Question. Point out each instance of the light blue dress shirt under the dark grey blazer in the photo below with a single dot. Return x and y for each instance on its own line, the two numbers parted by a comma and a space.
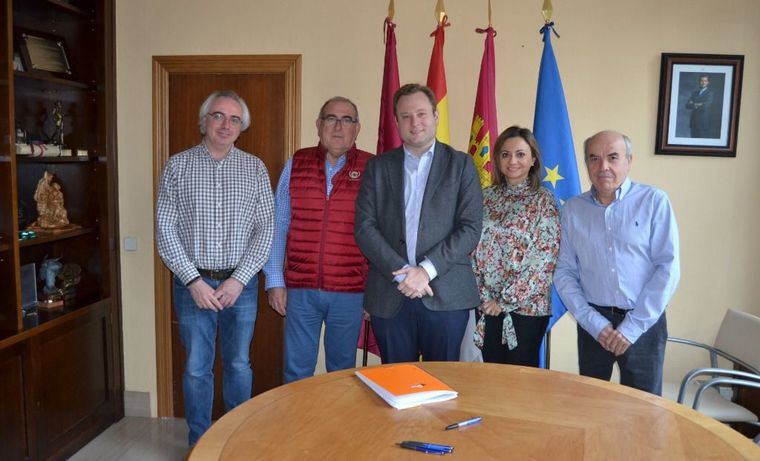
416, 172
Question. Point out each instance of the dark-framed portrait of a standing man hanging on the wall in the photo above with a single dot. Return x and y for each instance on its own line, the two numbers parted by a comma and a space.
698, 111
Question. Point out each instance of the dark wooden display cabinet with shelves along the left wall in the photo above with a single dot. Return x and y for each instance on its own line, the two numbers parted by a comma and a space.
61, 373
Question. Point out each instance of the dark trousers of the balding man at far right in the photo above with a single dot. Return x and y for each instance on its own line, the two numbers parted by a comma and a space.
640, 365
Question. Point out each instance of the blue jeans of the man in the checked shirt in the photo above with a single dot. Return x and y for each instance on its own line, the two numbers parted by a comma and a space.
197, 328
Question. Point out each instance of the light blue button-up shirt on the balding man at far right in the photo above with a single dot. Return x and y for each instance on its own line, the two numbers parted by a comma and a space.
624, 255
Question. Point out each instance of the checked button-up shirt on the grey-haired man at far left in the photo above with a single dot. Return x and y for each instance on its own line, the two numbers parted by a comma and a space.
214, 214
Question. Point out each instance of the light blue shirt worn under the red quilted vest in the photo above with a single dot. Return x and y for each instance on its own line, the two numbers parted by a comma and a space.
274, 268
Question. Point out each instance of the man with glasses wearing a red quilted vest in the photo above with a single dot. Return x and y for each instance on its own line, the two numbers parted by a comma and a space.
315, 274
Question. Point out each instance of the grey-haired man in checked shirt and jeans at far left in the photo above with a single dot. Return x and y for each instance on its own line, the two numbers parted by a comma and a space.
215, 218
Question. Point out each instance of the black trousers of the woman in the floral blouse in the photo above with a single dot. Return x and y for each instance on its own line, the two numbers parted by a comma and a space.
530, 331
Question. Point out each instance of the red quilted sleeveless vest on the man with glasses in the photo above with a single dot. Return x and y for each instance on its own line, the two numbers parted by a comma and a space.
321, 252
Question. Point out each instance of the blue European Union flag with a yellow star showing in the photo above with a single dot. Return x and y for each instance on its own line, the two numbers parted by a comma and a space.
551, 126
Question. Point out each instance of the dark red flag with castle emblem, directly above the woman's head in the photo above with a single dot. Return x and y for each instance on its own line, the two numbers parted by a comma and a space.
484, 129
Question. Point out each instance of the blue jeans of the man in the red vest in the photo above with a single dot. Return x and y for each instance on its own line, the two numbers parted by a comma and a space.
307, 310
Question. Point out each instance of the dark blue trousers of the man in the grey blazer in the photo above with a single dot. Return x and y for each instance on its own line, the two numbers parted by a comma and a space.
415, 330
